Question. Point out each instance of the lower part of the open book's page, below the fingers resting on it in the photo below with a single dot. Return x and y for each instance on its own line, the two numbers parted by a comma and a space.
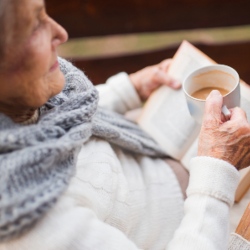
168, 121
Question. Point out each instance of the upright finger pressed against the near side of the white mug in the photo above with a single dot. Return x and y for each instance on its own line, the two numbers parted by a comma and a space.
213, 106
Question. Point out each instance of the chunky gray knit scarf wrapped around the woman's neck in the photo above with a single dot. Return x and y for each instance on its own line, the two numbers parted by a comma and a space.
37, 161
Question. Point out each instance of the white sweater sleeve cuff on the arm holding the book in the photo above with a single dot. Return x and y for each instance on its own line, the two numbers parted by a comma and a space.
118, 94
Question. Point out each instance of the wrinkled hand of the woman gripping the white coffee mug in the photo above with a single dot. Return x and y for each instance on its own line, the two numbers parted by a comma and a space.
226, 140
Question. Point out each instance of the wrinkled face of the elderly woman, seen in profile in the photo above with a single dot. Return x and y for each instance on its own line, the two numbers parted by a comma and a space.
30, 74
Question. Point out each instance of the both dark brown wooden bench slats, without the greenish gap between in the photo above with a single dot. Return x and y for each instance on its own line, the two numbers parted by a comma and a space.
85, 18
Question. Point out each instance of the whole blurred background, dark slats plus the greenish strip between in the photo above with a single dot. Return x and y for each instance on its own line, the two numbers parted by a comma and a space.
107, 37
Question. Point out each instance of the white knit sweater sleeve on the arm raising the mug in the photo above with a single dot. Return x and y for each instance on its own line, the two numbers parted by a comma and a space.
211, 190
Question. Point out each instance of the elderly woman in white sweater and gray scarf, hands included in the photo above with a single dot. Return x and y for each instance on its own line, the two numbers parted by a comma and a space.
75, 176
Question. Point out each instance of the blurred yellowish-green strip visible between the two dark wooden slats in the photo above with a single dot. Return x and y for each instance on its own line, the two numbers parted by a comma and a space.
123, 44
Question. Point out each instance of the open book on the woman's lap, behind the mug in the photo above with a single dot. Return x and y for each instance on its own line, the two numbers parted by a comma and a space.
166, 118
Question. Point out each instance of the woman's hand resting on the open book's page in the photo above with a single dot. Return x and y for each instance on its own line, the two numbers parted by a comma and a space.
148, 79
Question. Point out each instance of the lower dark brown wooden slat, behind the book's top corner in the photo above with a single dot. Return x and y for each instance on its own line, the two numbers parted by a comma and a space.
99, 69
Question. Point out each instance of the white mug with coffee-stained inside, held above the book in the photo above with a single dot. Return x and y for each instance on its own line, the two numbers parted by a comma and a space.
213, 76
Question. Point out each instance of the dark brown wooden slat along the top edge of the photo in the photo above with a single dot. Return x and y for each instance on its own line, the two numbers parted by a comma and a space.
99, 17
